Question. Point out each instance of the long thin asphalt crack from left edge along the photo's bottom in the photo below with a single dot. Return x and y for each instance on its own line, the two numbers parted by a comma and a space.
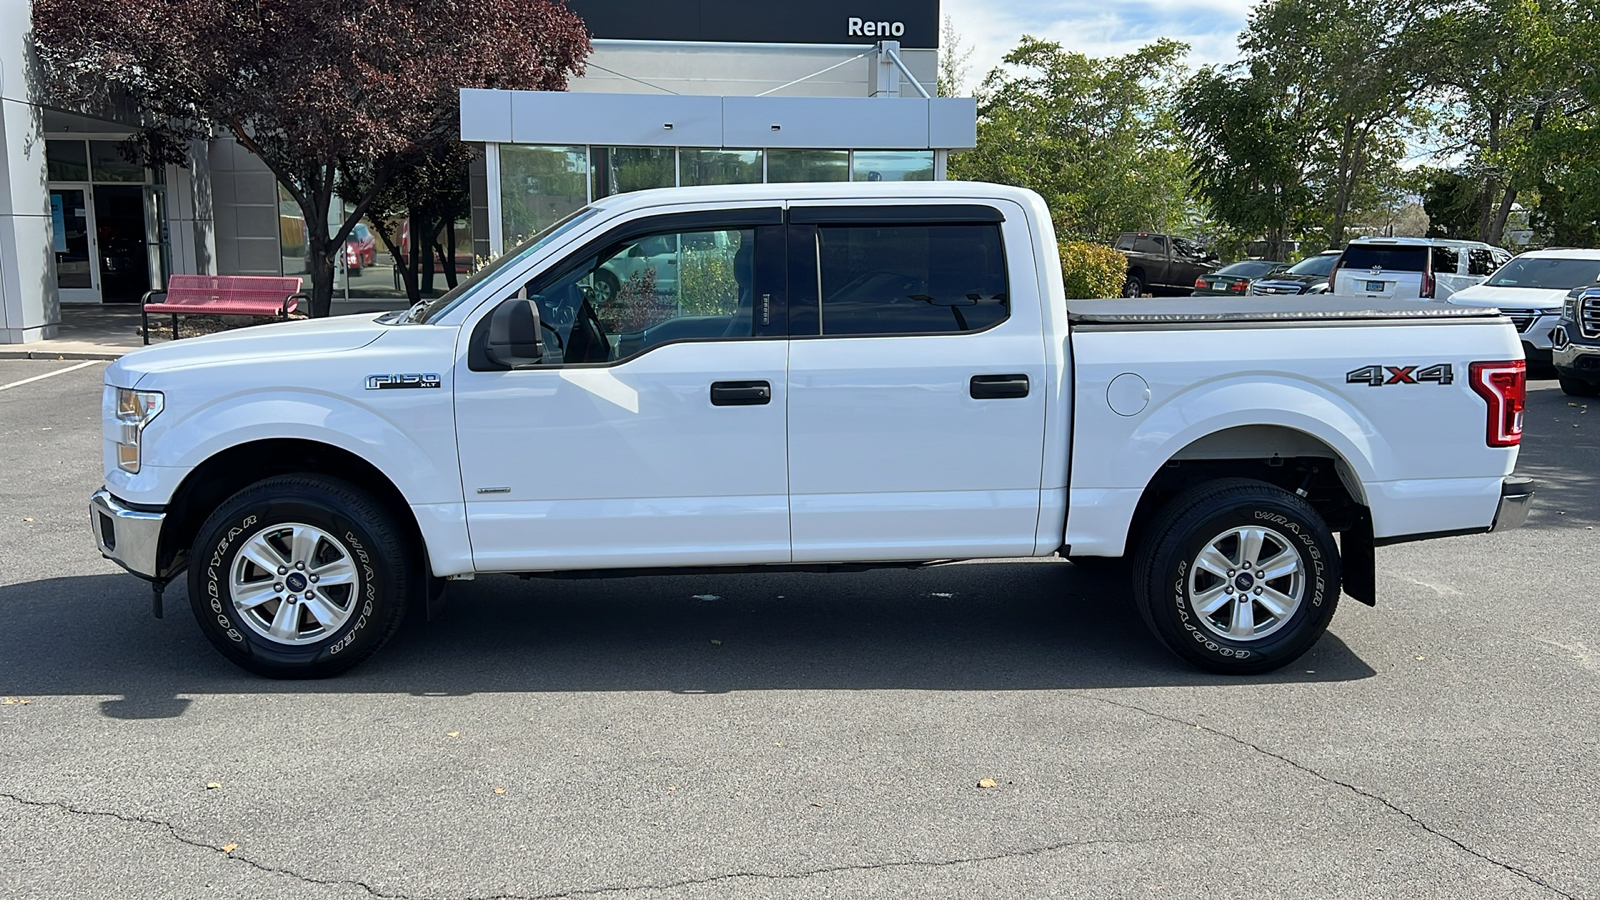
182, 838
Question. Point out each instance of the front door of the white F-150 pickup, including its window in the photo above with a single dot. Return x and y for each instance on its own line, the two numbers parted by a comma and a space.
652, 433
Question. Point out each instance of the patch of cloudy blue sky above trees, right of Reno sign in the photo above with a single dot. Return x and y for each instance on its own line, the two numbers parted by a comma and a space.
1105, 28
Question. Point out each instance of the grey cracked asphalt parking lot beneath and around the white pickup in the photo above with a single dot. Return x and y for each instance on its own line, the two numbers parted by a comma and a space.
802, 736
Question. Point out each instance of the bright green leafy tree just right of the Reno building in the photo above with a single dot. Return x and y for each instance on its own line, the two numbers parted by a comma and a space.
1095, 137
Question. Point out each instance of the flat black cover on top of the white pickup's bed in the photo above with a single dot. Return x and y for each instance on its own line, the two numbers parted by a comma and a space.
1158, 313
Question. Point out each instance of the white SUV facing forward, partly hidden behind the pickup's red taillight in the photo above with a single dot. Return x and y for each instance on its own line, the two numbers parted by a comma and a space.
1530, 292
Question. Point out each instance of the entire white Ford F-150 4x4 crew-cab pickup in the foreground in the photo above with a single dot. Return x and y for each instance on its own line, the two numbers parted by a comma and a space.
841, 377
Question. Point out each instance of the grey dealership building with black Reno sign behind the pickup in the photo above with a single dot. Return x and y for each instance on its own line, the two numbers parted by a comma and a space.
676, 94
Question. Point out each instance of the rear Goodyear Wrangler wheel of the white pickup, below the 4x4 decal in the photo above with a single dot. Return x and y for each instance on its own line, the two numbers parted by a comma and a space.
1238, 577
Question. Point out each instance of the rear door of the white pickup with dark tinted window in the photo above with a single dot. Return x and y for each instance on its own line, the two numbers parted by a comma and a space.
916, 384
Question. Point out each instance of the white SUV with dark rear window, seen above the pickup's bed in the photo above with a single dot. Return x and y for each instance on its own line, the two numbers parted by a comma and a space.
1414, 268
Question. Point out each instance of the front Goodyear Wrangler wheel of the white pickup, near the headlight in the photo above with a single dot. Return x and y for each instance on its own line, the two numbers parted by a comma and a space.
300, 577
